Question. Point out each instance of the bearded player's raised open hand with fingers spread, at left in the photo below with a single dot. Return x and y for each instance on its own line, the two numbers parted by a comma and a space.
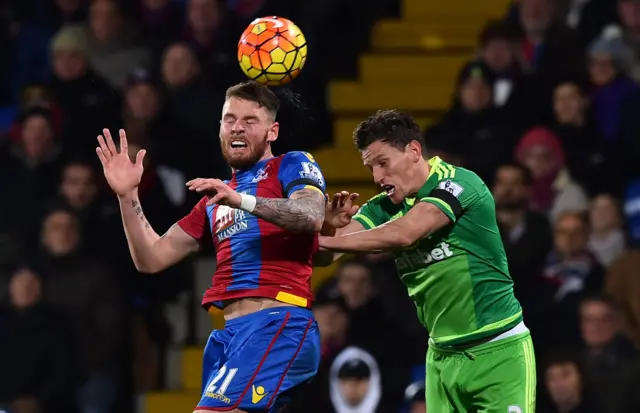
122, 174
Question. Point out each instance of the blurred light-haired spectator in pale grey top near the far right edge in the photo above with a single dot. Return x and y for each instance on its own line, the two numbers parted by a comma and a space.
607, 239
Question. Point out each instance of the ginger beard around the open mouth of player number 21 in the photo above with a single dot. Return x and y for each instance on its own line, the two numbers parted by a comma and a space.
241, 152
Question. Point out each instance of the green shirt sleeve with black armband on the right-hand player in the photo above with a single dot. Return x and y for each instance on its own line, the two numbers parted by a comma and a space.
451, 196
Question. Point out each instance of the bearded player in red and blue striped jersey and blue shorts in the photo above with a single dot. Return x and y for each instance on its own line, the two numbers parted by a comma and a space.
263, 224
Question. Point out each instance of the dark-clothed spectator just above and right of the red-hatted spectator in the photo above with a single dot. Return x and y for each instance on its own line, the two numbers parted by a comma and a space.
590, 163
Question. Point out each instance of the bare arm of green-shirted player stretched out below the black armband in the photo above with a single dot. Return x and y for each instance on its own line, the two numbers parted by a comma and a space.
421, 221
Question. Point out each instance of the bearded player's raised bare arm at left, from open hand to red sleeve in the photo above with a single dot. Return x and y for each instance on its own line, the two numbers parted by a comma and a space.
150, 252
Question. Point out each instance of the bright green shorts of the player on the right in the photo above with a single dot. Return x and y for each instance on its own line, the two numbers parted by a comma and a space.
493, 377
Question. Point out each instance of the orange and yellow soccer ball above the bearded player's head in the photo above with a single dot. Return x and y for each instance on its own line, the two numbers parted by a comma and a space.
272, 51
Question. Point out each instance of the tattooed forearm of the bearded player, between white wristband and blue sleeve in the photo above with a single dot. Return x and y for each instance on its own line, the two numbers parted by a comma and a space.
302, 213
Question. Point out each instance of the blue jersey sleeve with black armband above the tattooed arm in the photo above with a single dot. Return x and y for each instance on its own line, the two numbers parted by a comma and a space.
299, 170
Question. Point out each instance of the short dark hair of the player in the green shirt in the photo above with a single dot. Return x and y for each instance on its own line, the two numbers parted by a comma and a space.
396, 128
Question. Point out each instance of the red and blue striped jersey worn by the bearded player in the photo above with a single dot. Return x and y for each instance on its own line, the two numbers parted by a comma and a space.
256, 258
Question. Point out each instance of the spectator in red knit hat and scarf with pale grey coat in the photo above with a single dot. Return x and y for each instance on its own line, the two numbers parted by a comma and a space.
553, 190
